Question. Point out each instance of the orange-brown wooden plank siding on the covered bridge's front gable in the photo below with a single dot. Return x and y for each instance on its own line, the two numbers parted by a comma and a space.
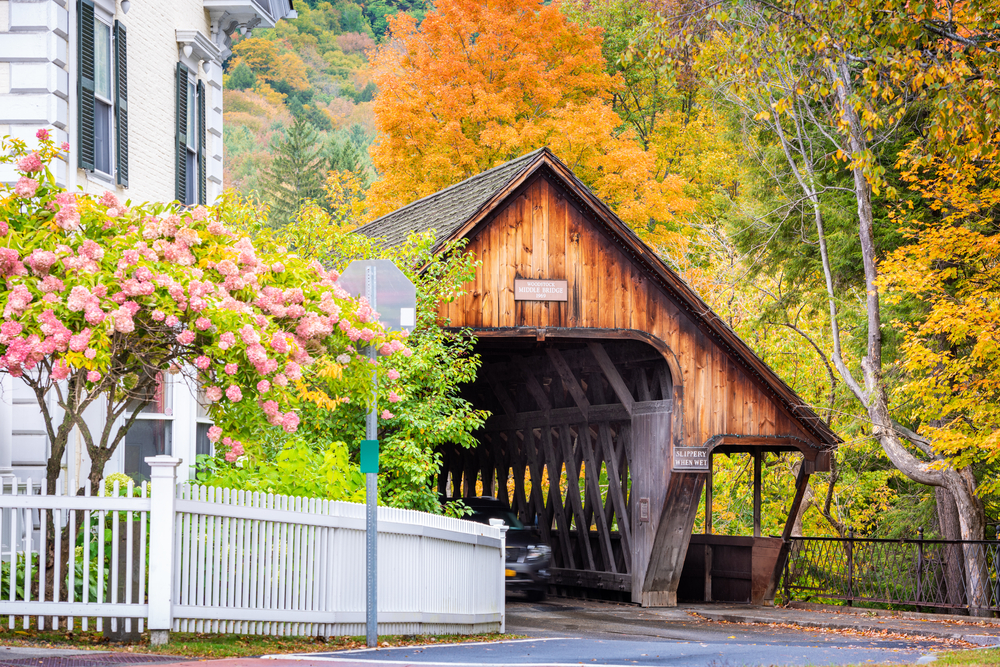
542, 231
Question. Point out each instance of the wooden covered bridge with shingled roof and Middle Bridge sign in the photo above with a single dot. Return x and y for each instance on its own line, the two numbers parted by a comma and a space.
600, 364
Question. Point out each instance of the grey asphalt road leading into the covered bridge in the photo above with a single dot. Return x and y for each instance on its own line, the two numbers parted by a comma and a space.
574, 632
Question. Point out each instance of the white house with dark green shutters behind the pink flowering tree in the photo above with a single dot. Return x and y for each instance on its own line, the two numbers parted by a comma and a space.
135, 88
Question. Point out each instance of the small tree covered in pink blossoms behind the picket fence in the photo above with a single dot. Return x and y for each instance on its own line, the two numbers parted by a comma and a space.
102, 297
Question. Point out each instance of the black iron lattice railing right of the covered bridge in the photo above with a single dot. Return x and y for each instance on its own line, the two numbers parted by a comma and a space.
952, 574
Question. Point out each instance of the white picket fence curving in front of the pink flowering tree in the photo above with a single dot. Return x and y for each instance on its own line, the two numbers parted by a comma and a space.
201, 559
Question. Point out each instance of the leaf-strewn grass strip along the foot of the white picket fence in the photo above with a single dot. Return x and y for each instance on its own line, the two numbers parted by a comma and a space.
195, 645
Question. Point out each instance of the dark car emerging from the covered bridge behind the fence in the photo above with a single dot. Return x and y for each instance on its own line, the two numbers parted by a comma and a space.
528, 557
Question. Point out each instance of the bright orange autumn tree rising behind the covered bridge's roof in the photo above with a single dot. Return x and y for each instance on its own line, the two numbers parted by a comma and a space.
479, 83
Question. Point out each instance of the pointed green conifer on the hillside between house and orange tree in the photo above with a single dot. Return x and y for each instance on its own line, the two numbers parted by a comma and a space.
296, 172
